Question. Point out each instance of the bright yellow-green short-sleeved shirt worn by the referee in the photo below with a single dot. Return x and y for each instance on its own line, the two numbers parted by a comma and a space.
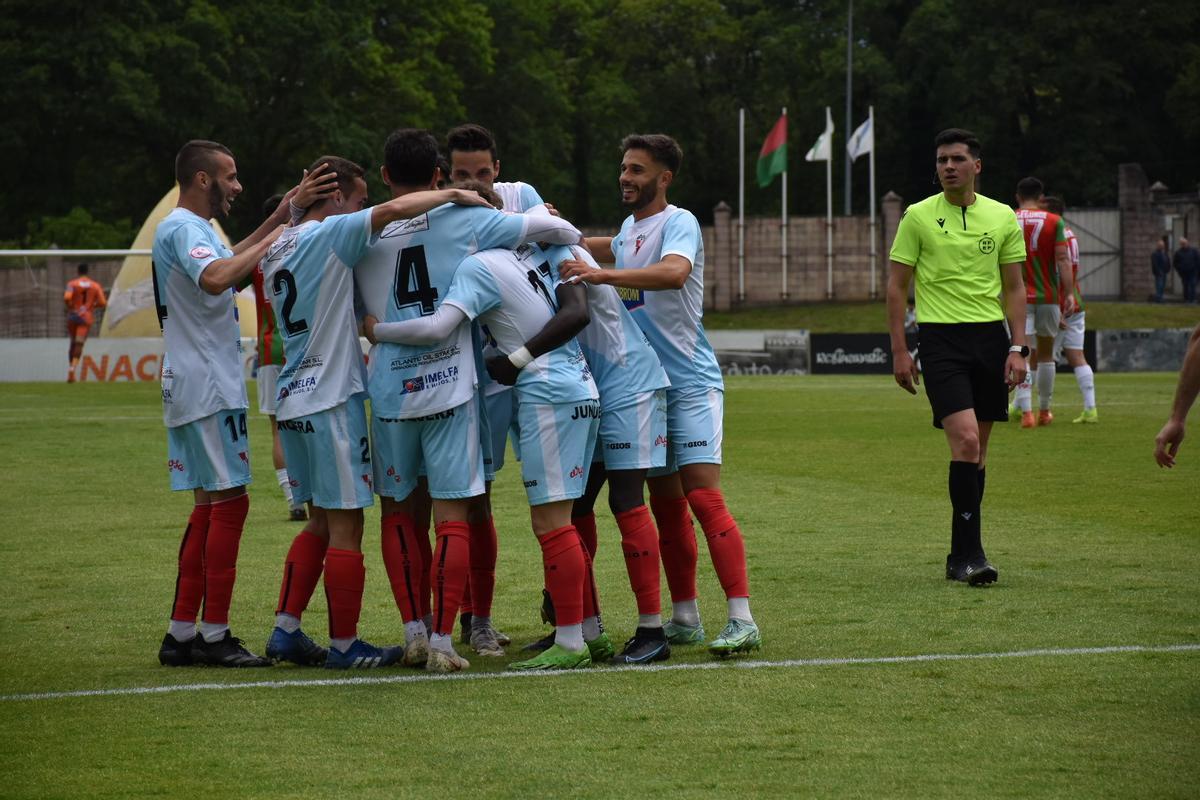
956, 254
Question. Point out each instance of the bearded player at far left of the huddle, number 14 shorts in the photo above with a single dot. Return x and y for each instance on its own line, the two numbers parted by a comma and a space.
205, 398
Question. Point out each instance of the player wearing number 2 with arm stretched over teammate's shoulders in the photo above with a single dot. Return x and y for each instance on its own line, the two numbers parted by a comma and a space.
321, 407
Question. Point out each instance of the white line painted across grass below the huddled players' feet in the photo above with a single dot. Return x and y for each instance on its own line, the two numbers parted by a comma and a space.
711, 665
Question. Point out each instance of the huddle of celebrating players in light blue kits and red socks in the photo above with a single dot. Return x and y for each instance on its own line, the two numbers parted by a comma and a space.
490, 317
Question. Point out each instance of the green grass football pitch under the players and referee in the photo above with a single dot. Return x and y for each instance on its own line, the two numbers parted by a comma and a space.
839, 486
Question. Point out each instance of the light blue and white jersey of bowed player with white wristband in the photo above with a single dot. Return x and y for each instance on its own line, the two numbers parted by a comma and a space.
505, 291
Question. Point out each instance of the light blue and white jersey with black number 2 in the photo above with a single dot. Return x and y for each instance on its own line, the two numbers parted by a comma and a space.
308, 272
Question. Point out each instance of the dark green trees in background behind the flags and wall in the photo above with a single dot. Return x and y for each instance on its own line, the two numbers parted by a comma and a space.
98, 97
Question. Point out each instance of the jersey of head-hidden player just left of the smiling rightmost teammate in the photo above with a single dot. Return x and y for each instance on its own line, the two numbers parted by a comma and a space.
623, 363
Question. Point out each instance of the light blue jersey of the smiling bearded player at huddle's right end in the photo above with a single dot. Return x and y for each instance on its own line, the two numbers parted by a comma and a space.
671, 318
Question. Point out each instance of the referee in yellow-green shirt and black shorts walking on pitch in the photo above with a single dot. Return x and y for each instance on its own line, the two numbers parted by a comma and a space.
967, 252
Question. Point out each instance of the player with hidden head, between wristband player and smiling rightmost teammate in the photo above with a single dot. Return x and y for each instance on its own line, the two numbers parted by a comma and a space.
633, 440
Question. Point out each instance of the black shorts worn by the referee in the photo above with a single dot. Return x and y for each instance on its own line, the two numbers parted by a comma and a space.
963, 366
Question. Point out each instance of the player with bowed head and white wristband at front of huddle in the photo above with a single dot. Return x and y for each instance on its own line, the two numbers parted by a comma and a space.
560, 419
